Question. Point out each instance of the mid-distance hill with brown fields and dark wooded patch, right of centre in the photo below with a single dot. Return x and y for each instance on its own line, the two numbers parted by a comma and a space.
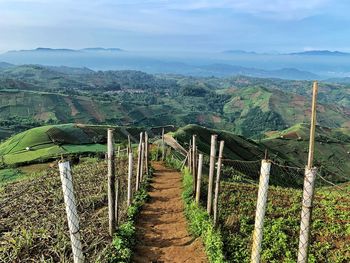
256, 109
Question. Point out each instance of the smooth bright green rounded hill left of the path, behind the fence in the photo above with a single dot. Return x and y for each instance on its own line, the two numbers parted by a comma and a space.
42, 143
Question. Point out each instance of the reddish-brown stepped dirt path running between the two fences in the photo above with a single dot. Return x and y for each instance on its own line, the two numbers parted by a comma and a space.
162, 234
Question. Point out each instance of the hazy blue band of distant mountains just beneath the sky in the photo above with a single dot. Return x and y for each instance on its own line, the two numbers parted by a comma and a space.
330, 64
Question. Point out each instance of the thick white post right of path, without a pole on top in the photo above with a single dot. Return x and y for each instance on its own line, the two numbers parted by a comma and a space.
260, 210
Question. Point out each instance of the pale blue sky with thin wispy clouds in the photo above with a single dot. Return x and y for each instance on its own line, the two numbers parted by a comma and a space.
176, 25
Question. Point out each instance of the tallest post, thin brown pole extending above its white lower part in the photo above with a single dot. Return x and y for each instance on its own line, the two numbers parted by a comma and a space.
309, 186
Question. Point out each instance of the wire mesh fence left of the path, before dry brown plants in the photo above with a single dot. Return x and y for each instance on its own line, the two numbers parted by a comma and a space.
36, 226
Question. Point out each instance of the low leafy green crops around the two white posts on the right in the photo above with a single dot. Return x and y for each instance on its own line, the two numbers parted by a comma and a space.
282, 224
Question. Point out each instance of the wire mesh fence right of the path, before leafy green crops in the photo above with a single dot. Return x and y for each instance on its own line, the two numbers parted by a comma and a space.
277, 215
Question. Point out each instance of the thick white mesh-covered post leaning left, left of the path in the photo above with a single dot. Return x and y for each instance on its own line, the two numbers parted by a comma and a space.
71, 211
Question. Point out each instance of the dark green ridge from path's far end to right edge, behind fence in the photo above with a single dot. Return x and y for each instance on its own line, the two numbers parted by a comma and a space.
290, 147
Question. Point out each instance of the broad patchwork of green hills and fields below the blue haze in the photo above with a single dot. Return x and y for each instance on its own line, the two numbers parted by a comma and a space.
34, 95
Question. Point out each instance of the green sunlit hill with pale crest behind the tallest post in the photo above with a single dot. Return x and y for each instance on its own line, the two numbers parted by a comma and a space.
332, 149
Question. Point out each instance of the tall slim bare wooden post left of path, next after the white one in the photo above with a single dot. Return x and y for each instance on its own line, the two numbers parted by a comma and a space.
111, 182
